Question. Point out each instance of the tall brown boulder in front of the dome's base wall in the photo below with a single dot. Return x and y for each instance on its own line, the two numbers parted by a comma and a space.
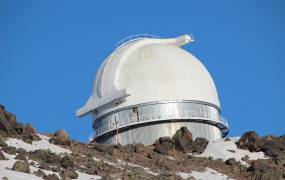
182, 140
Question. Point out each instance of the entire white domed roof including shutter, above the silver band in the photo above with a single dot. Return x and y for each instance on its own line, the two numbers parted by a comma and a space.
150, 70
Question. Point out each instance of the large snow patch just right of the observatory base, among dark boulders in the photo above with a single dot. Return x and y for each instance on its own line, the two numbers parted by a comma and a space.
222, 149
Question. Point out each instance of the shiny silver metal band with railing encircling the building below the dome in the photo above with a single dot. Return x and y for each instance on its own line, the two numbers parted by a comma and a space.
191, 111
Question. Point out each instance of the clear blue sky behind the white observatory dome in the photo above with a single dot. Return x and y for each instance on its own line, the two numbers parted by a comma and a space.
50, 51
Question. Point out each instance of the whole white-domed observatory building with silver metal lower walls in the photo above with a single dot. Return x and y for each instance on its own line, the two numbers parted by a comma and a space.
150, 87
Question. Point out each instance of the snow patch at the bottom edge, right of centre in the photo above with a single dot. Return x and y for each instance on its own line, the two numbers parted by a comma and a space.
209, 174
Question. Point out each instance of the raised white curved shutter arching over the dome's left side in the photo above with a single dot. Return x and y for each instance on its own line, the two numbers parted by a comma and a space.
105, 90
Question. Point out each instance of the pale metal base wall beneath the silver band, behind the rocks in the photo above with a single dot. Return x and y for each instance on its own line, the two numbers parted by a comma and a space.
148, 133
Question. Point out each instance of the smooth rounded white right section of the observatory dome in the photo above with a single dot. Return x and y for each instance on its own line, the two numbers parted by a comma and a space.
160, 72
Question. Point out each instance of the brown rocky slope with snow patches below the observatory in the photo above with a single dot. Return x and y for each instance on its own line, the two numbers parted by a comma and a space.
25, 154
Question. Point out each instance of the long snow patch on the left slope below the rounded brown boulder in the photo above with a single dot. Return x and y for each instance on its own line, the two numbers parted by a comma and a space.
42, 144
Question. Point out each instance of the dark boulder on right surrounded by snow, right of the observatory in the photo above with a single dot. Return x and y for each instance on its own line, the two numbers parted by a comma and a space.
251, 141
